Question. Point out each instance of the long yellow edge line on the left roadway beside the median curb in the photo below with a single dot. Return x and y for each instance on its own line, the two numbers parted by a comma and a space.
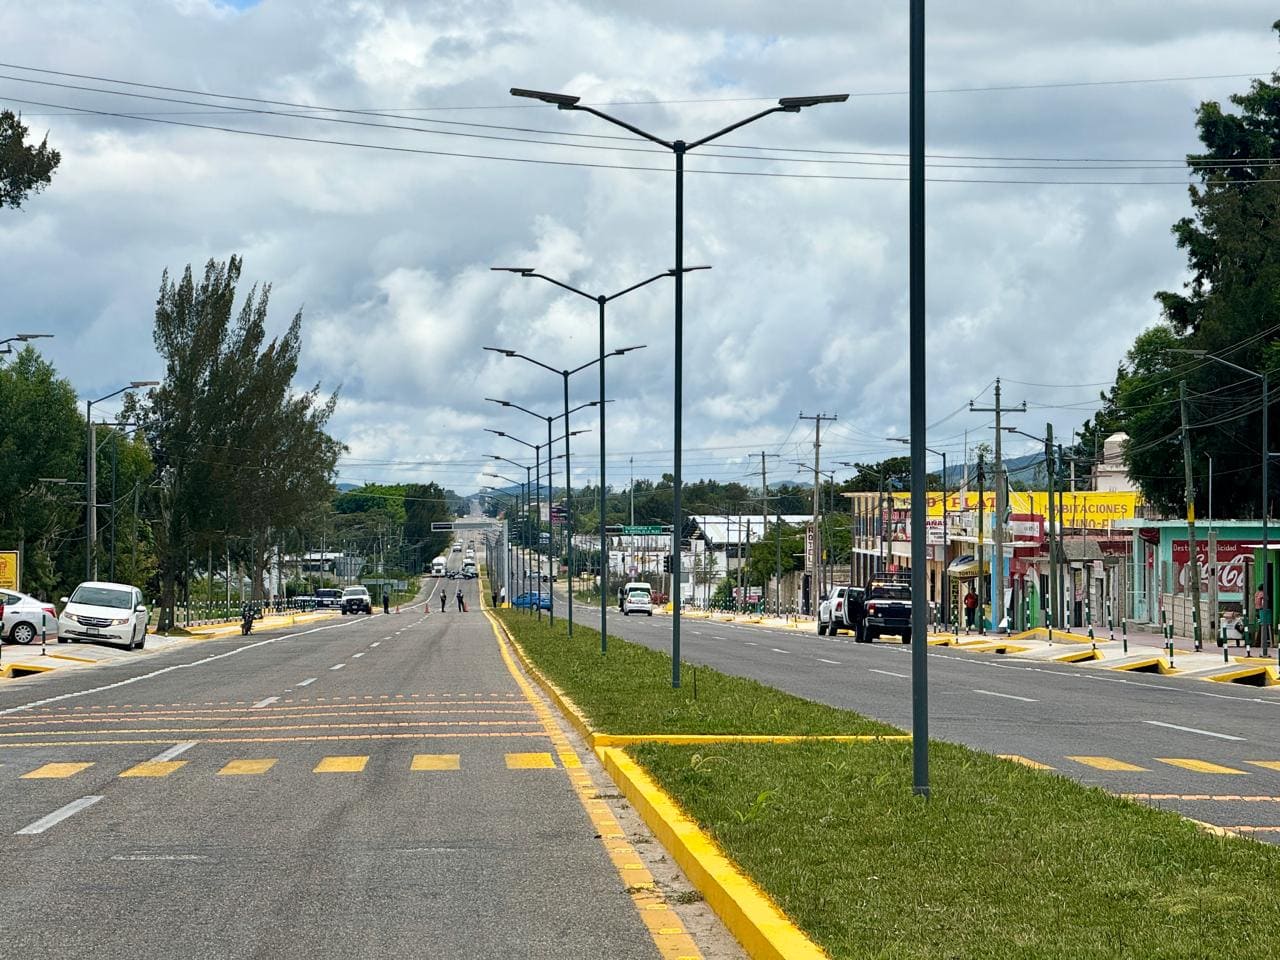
665, 926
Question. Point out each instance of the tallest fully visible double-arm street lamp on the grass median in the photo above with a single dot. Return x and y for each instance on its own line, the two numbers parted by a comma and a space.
679, 148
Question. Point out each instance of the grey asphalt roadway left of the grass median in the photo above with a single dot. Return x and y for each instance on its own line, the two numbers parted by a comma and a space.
367, 788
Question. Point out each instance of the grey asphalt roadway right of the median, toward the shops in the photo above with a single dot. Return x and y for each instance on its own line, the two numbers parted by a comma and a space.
1209, 751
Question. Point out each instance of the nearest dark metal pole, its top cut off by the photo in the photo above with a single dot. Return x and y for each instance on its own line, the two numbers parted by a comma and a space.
920, 620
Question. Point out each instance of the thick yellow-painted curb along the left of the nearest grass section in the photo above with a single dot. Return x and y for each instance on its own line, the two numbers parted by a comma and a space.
764, 931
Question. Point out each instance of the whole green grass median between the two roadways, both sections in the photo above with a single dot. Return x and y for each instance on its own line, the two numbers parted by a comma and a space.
1003, 862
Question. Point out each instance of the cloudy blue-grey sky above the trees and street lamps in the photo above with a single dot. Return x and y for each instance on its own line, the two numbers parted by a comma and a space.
1057, 135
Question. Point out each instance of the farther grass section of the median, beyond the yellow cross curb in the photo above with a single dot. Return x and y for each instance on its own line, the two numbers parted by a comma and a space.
629, 692
